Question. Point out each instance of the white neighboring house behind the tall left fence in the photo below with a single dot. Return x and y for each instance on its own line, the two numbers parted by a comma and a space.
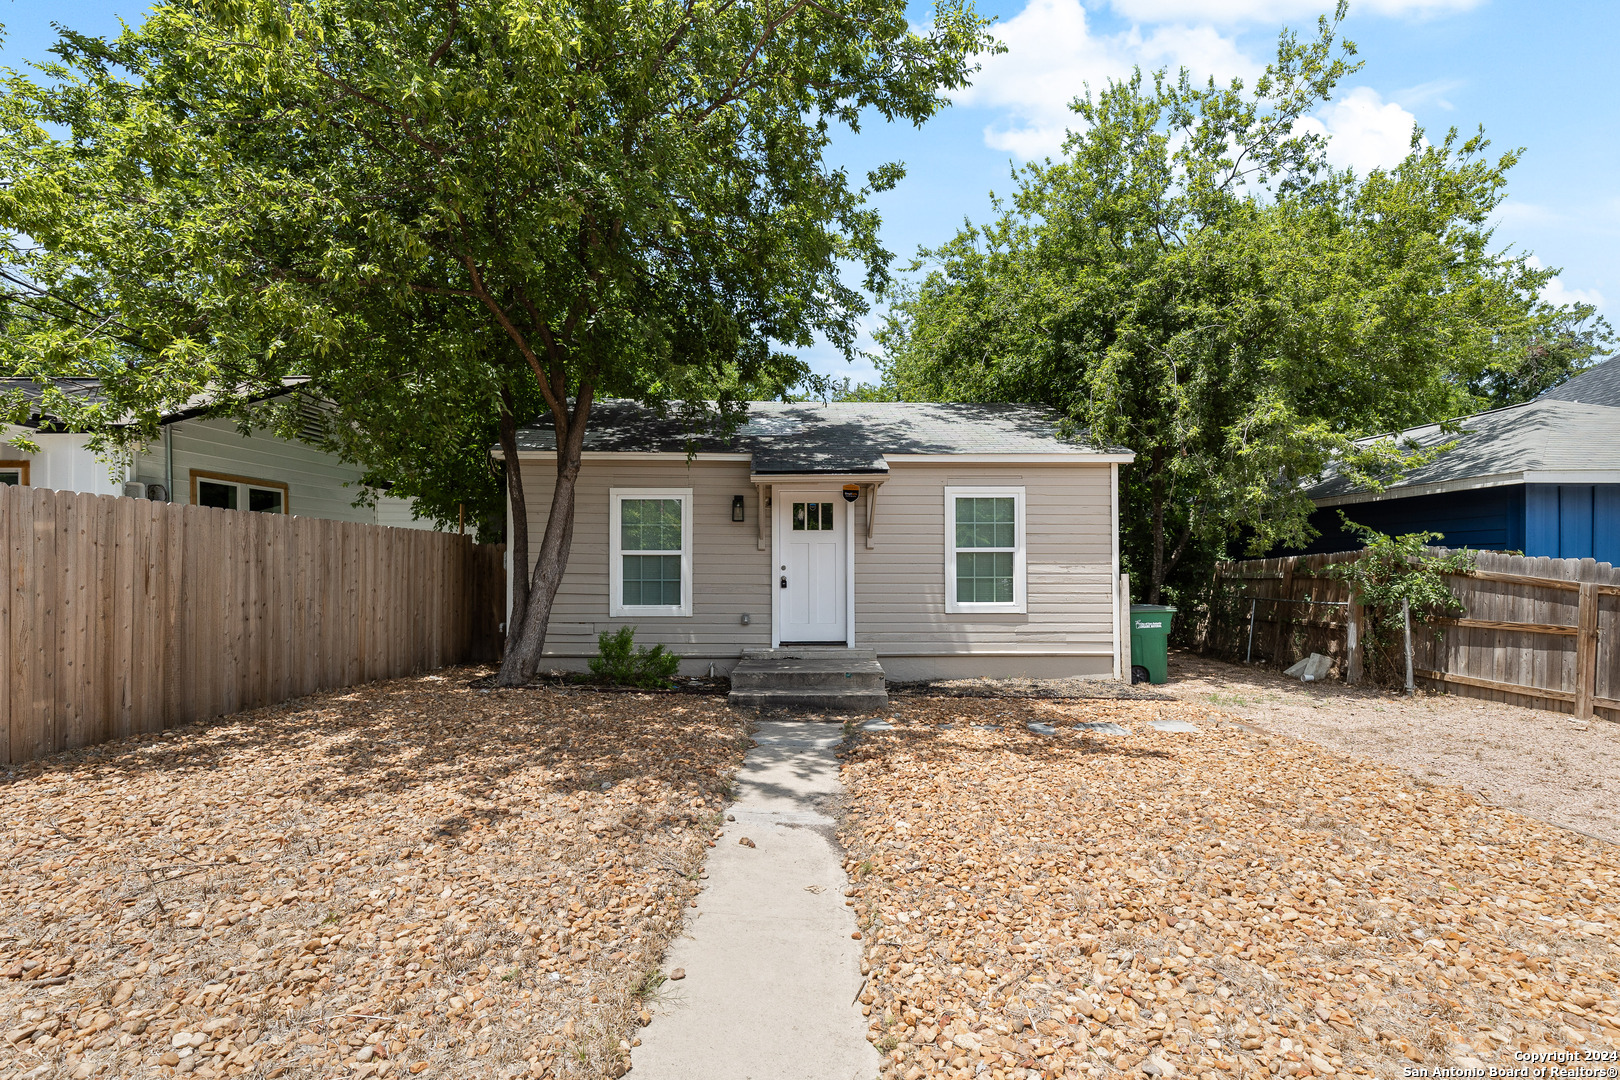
200, 461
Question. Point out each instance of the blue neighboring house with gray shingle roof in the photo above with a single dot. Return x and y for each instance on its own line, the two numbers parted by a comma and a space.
1541, 478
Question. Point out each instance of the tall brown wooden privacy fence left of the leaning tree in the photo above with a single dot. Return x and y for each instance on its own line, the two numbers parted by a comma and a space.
126, 616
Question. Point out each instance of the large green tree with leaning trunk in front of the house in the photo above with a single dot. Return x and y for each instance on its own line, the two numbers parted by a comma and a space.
629, 195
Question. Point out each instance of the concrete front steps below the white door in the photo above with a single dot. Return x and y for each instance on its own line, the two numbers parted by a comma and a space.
822, 679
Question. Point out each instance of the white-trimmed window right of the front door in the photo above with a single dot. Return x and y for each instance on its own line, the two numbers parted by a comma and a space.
984, 550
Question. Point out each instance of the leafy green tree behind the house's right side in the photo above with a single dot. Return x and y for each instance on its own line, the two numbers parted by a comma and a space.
1193, 283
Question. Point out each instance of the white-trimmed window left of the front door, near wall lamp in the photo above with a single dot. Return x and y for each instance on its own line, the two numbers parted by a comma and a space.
650, 551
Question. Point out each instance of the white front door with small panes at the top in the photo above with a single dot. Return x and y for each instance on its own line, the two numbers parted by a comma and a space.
812, 566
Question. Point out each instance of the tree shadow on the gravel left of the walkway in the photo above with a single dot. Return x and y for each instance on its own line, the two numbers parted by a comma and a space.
404, 734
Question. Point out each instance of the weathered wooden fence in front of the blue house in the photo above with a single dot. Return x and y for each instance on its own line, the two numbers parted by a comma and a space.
1538, 632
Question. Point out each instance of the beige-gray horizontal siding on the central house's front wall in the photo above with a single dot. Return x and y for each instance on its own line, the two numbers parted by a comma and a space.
900, 582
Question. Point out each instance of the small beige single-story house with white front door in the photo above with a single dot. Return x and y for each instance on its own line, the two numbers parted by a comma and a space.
950, 540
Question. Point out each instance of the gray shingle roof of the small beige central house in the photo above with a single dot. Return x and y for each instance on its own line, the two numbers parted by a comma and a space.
838, 438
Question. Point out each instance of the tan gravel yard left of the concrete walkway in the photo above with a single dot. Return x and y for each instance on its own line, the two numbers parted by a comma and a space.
409, 878
